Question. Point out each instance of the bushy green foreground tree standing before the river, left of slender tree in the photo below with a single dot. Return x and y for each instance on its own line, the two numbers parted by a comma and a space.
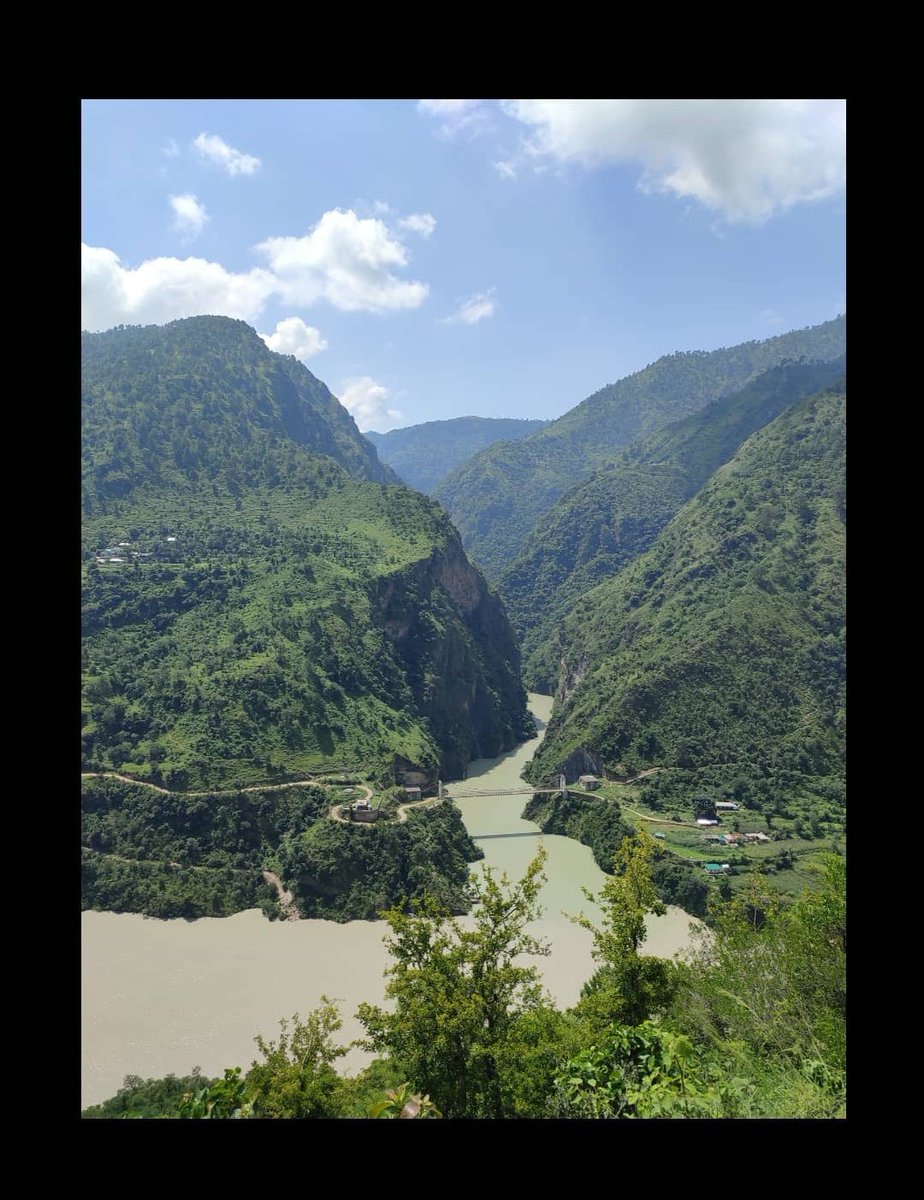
459, 994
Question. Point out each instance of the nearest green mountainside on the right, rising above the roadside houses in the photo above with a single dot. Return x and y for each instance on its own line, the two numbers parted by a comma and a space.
719, 653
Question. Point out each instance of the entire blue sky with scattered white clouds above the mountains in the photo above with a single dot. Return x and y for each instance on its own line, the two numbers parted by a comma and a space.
431, 260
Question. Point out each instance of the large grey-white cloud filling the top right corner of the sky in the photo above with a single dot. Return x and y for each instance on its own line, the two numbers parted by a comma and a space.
746, 160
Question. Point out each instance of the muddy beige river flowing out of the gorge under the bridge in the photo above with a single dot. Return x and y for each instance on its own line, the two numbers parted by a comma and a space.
164, 997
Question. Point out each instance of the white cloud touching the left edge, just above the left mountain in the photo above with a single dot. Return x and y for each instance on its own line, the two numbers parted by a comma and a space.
164, 290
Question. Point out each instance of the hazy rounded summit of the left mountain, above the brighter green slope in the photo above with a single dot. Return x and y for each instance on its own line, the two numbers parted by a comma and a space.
201, 401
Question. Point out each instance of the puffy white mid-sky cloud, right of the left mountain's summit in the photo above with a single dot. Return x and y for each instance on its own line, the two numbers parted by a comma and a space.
346, 261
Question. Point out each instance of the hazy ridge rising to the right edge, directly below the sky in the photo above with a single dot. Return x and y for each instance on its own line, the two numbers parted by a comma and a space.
499, 496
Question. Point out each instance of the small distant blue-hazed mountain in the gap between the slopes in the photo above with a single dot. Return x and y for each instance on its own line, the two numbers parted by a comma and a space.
423, 455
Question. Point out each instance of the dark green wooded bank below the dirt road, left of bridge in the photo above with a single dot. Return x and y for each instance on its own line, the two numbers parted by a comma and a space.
203, 856
